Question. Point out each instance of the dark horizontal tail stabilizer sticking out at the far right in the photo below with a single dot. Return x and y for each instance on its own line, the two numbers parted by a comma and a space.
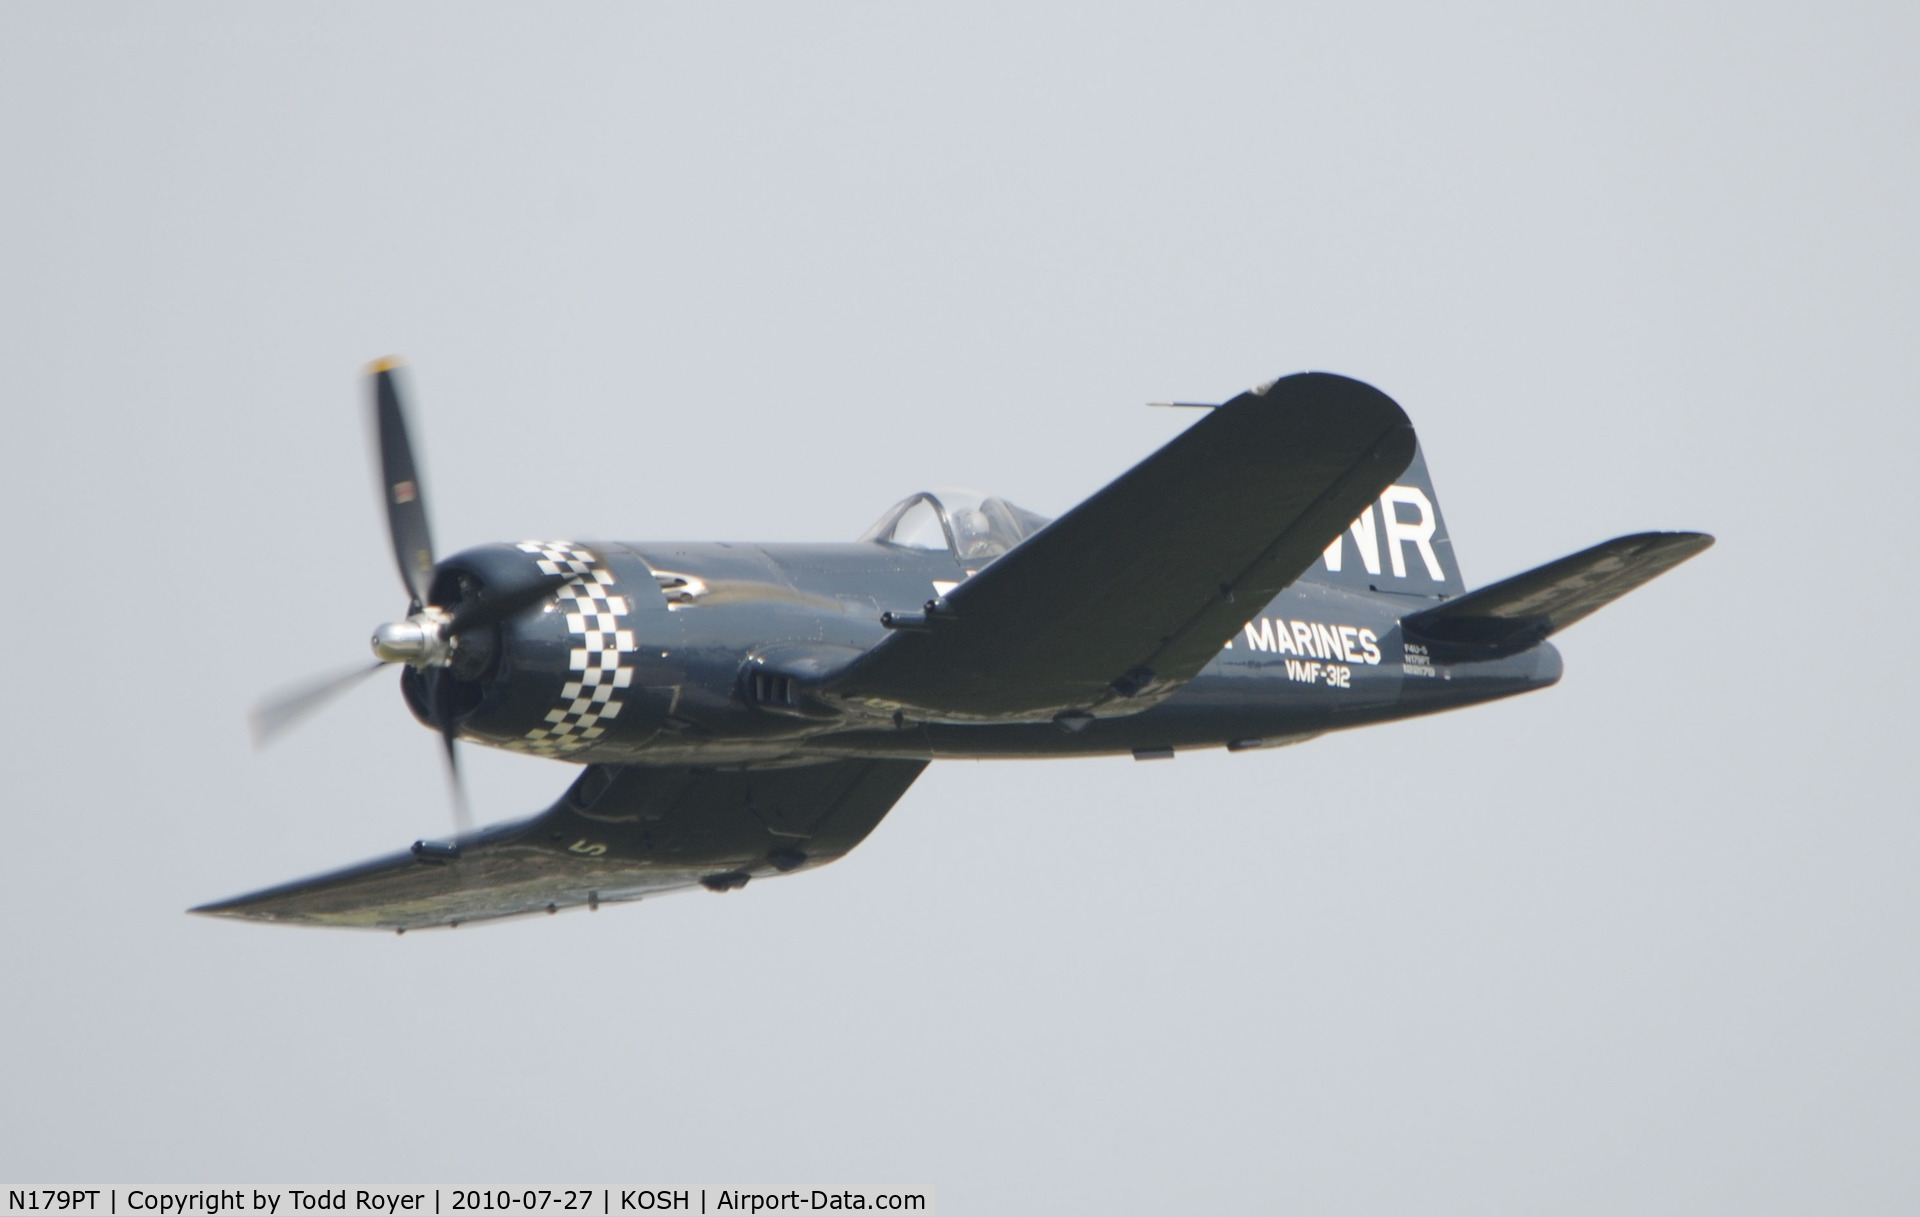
1522, 611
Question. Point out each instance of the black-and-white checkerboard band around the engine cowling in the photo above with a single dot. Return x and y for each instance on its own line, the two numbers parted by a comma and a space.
598, 667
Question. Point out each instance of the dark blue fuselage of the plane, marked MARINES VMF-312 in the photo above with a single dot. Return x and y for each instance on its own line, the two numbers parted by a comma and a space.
656, 663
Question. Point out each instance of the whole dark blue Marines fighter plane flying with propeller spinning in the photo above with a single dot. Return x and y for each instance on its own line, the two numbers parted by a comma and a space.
744, 711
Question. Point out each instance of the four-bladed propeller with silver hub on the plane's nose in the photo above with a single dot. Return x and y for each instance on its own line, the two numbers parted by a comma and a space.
431, 634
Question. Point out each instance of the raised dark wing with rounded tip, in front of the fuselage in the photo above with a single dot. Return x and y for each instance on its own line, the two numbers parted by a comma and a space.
1120, 602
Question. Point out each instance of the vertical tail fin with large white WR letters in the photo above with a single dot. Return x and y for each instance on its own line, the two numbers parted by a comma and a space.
1399, 544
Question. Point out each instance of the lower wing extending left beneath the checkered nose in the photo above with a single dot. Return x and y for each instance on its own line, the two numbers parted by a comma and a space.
619, 834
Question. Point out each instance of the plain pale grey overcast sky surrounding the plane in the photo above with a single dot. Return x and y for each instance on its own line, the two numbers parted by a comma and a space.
1639, 943
